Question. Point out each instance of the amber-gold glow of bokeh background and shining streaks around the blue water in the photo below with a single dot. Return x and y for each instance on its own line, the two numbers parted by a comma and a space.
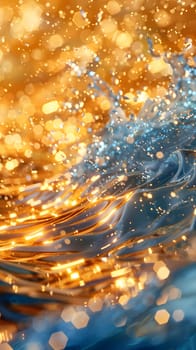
49, 114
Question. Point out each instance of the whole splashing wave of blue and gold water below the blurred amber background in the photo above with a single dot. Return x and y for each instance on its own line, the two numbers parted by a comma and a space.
110, 241
